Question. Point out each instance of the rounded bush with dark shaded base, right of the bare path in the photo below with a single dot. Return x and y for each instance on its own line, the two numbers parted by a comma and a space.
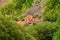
51, 16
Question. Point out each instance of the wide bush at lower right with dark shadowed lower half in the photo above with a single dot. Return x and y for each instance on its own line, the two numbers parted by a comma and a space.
43, 30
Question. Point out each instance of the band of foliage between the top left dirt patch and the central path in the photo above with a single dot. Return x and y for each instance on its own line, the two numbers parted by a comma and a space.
16, 7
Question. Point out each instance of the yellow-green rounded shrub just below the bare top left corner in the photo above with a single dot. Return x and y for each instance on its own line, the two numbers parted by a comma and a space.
8, 9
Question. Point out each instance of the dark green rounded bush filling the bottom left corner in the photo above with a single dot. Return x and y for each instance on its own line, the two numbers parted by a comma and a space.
9, 30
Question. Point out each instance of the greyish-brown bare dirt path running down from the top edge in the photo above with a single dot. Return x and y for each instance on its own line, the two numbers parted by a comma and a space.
35, 8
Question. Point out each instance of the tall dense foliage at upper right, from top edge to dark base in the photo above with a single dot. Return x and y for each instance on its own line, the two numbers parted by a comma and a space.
51, 10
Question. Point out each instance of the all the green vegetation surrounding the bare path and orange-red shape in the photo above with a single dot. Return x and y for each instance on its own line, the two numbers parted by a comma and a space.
48, 29
